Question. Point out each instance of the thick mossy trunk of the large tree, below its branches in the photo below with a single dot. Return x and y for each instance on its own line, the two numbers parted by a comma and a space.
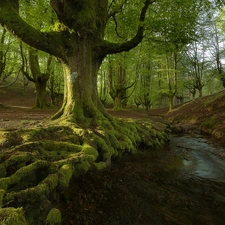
81, 100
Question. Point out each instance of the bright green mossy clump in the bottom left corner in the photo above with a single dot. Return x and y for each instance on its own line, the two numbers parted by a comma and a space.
12, 216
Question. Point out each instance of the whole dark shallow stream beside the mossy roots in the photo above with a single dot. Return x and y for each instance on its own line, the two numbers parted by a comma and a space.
181, 184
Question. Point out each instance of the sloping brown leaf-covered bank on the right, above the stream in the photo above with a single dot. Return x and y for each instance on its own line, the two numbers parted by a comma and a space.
207, 113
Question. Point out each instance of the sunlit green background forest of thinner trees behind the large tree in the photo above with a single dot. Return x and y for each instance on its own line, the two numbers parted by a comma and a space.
181, 58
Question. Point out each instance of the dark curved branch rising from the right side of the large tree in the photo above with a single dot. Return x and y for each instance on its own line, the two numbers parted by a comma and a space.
112, 48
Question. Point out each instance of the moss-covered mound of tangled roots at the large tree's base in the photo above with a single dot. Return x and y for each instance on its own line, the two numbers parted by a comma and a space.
38, 164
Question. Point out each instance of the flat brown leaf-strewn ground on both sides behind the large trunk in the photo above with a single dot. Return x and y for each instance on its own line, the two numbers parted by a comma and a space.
16, 111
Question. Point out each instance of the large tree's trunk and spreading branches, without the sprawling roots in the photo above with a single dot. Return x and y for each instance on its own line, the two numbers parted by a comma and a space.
79, 44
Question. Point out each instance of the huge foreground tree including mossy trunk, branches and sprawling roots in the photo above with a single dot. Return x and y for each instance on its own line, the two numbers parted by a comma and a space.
80, 45
